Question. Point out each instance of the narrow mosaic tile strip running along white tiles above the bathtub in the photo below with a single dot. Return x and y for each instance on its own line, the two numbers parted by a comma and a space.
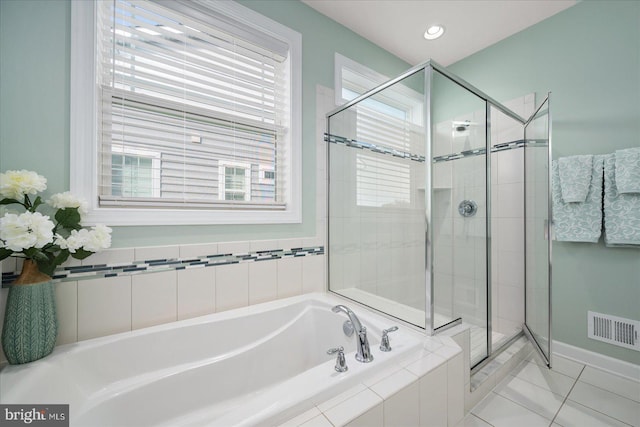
155, 265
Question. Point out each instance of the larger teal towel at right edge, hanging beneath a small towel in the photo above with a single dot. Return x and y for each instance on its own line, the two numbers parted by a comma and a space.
621, 211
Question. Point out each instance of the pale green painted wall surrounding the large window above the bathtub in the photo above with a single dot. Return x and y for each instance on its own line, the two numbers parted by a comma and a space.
34, 104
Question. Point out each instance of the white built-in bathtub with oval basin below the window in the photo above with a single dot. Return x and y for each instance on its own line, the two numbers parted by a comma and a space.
258, 365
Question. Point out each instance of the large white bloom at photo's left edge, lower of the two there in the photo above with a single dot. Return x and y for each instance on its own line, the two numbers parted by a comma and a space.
28, 230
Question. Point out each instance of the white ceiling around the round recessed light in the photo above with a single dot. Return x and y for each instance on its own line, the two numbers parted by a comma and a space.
471, 25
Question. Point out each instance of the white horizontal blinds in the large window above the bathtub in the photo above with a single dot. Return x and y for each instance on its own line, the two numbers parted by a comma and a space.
184, 94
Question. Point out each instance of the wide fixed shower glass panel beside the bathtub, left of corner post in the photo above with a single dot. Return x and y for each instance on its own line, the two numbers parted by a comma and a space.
377, 201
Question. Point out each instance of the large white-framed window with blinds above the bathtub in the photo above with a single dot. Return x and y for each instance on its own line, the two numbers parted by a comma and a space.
191, 100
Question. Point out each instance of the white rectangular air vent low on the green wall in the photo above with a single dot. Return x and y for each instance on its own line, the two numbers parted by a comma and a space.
614, 330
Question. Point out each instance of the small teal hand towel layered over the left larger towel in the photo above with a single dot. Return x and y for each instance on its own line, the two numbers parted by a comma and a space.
575, 177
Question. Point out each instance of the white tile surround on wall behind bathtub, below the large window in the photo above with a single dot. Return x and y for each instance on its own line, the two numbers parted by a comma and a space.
96, 306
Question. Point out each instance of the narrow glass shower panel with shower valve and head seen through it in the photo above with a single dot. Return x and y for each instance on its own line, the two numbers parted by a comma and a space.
459, 210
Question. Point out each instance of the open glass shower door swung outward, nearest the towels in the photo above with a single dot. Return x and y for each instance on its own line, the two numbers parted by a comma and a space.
537, 161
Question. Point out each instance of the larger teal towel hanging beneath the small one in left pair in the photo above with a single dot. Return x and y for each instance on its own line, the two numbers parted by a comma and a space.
578, 222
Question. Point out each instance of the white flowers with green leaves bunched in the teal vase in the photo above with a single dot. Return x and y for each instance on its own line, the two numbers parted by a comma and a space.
33, 235
